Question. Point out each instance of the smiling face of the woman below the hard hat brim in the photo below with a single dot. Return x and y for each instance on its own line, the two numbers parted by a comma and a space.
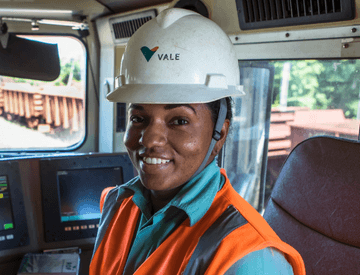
167, 143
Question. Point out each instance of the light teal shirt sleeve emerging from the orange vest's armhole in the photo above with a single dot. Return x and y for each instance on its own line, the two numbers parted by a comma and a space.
268, 261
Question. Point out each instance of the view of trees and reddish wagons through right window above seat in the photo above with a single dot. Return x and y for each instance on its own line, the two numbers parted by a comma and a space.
311, 98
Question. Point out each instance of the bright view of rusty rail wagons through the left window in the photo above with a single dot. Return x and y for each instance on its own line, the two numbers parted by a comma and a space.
40, 115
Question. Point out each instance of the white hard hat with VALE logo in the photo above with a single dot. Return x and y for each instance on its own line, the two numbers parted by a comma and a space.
178, 57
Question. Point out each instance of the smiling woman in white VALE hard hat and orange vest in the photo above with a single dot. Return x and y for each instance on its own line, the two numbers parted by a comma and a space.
181, 215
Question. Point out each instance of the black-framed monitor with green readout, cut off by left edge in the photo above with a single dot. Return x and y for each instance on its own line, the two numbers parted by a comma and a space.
13, 225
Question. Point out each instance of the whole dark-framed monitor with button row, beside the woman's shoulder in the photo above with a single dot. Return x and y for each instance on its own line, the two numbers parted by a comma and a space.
71, 189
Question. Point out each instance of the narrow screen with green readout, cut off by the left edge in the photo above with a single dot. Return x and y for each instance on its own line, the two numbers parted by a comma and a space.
6, 214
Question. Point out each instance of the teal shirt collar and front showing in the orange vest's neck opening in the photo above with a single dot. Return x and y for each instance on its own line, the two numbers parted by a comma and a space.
192, 201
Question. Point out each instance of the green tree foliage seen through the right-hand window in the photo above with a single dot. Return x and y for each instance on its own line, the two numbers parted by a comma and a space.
320, 84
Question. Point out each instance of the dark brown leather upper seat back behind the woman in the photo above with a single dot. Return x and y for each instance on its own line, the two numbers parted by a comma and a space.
323, 173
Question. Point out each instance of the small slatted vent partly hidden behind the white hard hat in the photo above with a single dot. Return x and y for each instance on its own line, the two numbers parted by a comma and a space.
122, 28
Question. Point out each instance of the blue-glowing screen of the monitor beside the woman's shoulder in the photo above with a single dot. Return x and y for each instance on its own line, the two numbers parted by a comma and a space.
80, 191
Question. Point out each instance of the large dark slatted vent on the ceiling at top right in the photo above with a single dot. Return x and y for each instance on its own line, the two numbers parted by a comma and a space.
256, 14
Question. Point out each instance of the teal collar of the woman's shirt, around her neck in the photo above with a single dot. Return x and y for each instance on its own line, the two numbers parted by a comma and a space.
195, 198
